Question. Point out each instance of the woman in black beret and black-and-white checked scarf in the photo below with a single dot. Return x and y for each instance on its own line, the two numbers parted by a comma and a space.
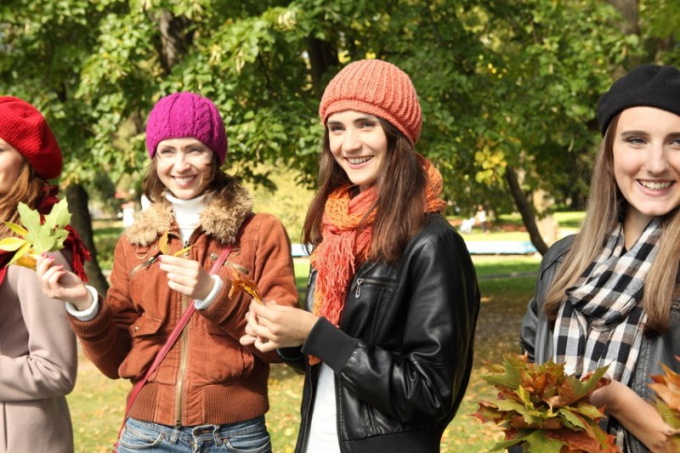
609, 295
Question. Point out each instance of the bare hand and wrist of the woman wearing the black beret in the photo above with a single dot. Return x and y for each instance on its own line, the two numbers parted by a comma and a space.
635, 414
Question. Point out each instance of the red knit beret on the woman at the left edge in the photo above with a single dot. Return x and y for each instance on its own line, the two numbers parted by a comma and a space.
24, 128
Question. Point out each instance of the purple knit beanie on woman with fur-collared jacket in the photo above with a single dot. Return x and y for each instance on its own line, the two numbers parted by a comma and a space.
184, 114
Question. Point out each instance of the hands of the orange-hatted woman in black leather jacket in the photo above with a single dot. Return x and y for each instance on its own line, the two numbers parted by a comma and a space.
271, 326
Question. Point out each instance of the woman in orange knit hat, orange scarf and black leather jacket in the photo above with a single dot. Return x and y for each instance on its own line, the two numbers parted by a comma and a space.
386, 341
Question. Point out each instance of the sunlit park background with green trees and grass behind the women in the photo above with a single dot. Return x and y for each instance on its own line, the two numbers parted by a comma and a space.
508, 90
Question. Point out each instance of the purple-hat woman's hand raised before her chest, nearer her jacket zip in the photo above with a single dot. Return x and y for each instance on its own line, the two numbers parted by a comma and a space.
186, 276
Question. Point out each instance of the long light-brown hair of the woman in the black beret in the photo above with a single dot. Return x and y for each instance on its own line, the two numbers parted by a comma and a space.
605, 209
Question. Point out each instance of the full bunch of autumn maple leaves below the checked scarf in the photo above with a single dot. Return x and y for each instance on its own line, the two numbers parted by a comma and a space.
540, 408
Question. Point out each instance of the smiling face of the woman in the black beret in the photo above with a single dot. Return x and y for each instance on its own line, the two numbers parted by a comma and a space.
646, 161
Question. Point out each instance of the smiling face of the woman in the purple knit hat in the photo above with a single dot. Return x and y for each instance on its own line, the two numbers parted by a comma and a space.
184, 166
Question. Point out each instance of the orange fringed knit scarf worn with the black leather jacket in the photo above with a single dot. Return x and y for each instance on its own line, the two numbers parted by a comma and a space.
345, 247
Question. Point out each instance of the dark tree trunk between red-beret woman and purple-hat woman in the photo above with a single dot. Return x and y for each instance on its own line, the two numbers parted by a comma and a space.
80, 220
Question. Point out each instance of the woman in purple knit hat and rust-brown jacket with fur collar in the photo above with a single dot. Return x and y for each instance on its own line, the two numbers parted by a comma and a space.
196, 388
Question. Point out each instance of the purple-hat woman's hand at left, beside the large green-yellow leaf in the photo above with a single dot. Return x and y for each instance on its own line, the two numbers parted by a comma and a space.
58, 283
